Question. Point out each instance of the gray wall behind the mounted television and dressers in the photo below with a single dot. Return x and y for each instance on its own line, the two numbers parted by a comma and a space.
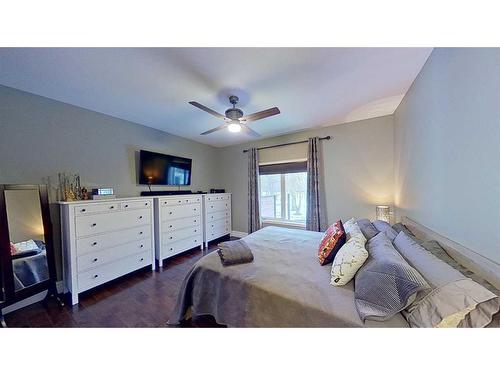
40, 137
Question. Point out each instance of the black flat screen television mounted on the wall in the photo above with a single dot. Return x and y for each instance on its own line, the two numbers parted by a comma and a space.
161, 169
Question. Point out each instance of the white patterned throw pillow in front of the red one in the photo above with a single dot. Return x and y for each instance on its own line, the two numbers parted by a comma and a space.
350, 257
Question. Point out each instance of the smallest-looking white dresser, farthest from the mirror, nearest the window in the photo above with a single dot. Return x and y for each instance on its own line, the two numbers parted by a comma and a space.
216, 216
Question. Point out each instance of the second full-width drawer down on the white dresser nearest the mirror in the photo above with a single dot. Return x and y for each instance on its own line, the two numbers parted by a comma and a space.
103, 241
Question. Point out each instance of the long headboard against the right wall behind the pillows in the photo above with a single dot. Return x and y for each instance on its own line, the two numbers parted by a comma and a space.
486, 268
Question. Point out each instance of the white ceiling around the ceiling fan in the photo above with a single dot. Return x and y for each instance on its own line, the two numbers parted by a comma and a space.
312, 87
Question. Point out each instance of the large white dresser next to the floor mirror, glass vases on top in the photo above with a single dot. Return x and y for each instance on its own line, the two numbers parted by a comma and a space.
103, 240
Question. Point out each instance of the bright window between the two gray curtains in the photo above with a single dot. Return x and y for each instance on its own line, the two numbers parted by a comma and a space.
283, 189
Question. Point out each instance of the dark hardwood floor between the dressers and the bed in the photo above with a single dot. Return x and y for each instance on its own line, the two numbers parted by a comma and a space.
141, 299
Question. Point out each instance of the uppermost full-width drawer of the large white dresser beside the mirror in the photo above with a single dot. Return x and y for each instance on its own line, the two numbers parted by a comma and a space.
101, 223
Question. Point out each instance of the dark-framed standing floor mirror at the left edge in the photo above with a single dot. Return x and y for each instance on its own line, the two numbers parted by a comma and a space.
27, 259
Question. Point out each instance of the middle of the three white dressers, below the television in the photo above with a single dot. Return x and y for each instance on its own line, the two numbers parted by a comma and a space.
178, 224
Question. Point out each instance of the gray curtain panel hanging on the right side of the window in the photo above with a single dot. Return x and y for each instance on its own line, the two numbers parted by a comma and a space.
314, 215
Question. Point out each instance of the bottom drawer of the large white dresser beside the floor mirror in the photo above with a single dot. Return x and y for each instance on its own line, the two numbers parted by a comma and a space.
110, 271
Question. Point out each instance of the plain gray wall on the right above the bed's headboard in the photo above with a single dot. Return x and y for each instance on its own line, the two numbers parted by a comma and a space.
447, 148
